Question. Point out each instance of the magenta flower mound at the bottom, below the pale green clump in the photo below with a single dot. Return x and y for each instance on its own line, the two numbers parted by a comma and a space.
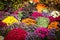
41, 32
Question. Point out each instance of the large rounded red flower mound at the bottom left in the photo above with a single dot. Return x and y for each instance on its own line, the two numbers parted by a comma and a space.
16, 34
